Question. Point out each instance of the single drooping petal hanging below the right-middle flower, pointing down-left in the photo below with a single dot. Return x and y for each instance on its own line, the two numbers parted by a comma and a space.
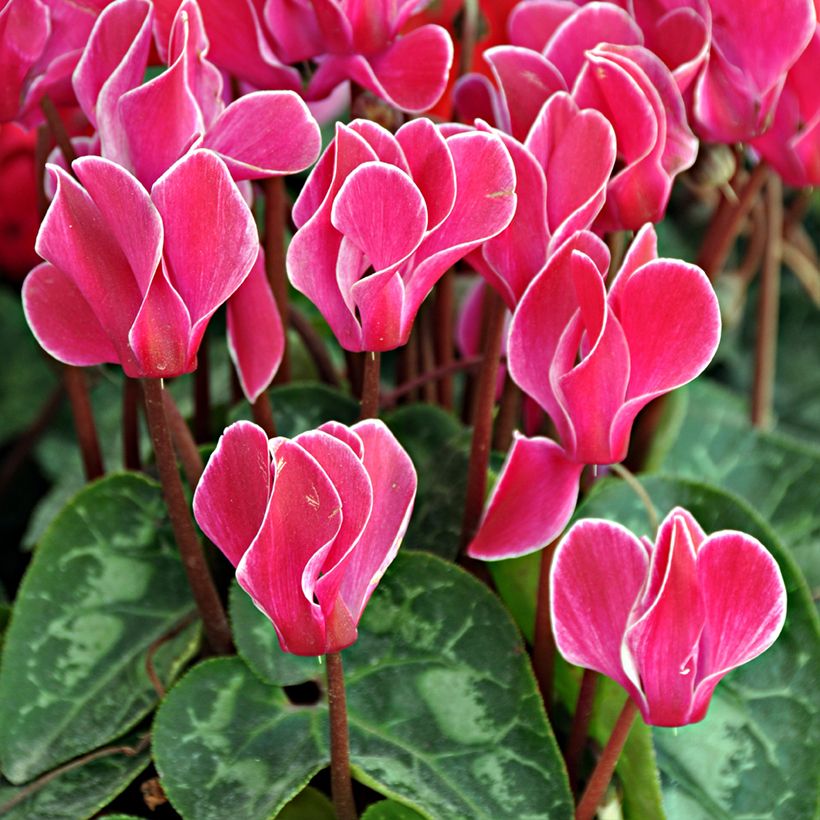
531, 503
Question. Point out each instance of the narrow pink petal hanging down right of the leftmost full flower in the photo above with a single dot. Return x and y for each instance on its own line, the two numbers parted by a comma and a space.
256, 338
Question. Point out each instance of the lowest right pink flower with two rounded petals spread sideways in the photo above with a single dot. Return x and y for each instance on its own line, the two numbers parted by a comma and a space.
667, 620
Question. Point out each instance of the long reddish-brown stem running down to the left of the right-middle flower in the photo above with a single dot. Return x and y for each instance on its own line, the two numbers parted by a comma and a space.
483, 418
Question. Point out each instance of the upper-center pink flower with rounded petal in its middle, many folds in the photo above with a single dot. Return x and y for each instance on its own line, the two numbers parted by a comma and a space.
382, 217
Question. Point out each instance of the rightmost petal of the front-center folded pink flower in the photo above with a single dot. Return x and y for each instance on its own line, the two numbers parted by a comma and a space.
394, 482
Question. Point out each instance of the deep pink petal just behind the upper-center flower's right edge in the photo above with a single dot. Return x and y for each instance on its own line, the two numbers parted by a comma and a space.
520, 250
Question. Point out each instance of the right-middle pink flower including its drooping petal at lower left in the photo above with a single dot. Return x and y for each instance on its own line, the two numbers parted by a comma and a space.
592, 359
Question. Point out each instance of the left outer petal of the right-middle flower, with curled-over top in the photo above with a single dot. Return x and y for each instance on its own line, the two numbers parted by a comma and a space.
541, 317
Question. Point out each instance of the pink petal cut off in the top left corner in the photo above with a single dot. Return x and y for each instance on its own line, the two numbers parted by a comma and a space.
24, 31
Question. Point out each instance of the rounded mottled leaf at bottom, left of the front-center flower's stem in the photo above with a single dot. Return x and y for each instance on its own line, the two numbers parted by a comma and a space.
228, 745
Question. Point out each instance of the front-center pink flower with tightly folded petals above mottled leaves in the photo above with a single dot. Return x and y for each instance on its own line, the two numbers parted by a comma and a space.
310, 523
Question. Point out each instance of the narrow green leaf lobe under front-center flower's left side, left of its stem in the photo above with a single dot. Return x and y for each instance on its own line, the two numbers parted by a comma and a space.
253, 633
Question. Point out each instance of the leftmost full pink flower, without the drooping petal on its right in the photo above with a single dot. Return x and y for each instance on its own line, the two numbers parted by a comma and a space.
133, 278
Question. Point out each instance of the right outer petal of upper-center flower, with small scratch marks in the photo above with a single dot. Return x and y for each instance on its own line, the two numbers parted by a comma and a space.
485, 205
